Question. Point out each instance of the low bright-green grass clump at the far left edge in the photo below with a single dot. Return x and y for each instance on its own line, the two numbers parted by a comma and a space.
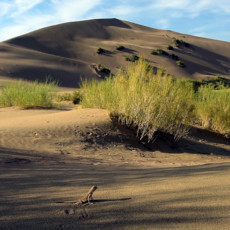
28, 94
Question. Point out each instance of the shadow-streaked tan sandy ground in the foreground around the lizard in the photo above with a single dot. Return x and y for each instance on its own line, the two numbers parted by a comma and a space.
48, 156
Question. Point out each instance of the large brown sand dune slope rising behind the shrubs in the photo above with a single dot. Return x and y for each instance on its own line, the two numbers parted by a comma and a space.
67, 51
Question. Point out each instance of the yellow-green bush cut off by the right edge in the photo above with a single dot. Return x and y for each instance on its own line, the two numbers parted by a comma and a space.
213, 108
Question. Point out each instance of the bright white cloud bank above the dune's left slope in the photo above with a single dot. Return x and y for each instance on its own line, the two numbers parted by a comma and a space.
24, 21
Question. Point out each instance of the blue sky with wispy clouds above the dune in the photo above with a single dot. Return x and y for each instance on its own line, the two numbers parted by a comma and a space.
205, 18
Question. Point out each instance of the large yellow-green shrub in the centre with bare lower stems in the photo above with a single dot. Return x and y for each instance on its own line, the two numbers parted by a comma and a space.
149, 102
